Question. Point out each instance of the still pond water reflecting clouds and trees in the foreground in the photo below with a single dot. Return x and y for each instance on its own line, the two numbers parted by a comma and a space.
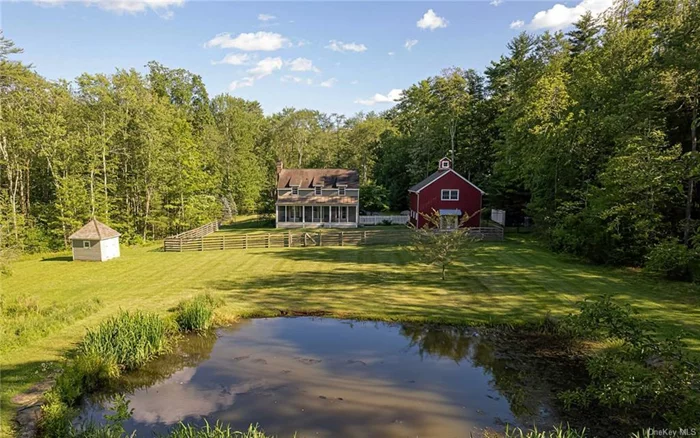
327, 377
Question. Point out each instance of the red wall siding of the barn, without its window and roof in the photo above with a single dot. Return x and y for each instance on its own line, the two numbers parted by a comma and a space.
469, 198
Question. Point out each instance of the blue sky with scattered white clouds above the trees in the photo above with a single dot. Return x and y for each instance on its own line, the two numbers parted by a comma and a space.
332, 56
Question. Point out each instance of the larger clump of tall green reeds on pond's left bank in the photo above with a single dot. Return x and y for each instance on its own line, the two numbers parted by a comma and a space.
129, 339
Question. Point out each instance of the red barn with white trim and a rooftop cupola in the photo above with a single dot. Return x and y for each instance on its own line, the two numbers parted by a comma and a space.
447, 192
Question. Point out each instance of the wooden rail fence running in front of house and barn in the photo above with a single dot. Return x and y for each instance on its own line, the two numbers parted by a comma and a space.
219, 242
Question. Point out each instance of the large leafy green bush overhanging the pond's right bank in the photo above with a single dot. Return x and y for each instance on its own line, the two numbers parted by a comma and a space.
640, 371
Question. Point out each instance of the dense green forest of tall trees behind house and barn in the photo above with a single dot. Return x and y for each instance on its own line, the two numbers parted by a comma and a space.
590, 132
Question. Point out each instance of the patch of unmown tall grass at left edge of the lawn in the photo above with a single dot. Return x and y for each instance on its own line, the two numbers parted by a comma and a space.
24, 319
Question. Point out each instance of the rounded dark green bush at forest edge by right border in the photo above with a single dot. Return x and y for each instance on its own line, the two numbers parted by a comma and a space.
671, 259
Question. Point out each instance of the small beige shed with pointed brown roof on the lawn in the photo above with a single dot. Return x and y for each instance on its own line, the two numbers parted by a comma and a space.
95, 241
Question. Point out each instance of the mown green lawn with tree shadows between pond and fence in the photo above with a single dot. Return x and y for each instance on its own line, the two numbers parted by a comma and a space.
502, 282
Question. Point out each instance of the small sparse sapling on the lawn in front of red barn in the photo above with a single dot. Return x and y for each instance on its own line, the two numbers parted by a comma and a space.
441, 247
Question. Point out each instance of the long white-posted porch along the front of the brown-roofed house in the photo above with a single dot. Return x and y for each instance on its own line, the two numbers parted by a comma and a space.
317, 216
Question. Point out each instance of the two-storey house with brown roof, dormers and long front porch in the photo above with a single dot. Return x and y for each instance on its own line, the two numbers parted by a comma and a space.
309, 198
